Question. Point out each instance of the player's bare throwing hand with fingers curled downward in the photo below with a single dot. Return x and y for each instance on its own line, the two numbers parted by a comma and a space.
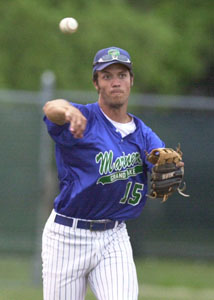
77, 122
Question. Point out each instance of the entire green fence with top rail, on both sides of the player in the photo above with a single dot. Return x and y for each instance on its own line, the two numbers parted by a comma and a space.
179, 227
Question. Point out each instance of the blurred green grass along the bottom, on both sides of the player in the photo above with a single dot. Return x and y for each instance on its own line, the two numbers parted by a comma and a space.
158, 280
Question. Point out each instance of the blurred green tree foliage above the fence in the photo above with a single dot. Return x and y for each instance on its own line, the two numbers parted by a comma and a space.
170, 41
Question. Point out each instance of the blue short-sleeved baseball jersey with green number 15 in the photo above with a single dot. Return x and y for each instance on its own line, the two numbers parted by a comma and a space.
102, 175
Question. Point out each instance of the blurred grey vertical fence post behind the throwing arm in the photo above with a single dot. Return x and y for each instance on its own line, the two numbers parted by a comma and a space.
46, 173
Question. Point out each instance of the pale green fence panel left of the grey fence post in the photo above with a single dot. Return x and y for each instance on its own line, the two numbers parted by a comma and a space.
18, 175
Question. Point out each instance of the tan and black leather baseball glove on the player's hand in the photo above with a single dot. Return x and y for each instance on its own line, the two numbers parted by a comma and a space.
167, 176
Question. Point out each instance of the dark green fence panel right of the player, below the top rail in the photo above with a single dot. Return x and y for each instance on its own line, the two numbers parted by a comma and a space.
182, 226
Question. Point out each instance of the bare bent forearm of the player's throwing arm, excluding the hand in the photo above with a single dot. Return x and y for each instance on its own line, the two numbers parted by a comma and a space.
55, 111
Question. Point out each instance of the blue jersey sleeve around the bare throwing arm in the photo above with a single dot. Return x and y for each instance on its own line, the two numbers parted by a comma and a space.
61, 133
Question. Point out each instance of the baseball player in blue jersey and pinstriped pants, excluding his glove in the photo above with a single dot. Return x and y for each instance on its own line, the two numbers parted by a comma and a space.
102, 170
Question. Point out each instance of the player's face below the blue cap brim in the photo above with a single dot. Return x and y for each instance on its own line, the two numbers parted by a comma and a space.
114, 85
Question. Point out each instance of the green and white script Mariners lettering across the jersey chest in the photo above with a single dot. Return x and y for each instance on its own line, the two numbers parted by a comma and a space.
125, 161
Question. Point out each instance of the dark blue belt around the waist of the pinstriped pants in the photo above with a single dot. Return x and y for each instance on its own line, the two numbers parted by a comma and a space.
91, 225
